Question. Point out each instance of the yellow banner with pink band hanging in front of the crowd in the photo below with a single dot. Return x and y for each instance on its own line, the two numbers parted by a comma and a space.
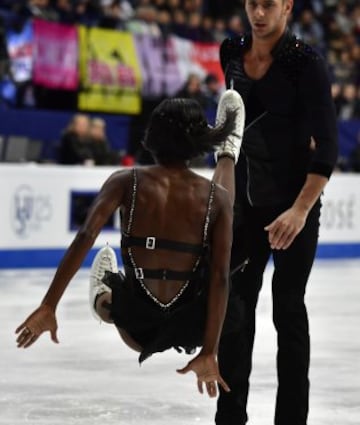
109, 72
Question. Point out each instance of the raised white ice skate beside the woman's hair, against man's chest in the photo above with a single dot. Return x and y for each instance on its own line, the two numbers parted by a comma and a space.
231, 100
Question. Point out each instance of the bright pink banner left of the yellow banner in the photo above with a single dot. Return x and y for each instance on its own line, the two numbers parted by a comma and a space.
55, 55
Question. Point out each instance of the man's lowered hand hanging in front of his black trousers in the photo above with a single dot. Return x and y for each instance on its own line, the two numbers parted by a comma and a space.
284, 229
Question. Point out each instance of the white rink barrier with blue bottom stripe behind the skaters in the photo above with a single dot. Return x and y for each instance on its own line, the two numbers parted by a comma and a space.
42, 206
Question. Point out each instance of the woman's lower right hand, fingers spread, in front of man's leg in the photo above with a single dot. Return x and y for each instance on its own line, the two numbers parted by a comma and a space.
207, 371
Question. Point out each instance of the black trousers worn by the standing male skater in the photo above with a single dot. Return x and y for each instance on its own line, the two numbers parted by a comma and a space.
291, 271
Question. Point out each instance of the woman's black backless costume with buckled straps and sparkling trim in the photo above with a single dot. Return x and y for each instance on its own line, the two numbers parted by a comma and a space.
156, 326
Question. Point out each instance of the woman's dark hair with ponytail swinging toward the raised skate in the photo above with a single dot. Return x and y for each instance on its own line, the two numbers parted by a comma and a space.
178, 131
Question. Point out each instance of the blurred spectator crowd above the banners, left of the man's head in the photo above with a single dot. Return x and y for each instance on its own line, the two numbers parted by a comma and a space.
199, 20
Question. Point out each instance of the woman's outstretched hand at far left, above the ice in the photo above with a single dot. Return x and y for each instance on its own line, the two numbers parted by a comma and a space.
41, 320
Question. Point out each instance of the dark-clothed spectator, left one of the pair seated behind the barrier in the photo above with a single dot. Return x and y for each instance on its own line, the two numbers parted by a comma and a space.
75, 145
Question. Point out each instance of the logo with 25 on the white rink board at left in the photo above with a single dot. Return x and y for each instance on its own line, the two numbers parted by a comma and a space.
30, 210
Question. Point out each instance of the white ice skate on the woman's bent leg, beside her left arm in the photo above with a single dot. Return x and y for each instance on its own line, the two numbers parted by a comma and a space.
105, 260
